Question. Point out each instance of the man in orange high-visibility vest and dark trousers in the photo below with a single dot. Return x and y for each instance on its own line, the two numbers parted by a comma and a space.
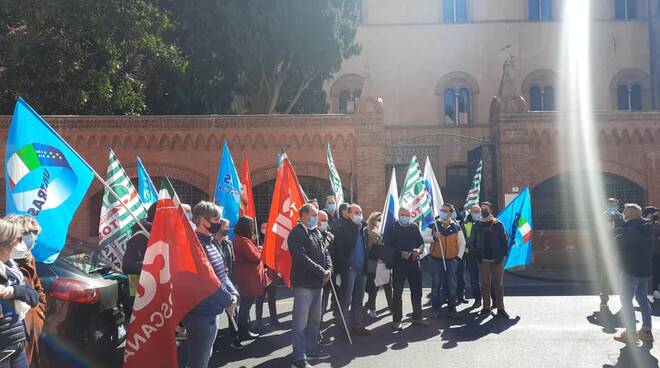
446, 251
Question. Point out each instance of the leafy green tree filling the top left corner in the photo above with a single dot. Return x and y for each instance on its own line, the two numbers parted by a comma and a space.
84, 56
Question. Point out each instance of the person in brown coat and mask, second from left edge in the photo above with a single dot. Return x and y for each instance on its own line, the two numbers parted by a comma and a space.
35, 317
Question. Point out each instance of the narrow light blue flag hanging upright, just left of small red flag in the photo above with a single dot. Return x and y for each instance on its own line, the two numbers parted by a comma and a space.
228, 189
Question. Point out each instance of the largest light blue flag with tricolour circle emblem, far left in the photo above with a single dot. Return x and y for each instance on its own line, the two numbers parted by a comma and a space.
44, 178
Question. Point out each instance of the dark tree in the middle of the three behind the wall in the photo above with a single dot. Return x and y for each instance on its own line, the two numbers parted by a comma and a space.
208, 85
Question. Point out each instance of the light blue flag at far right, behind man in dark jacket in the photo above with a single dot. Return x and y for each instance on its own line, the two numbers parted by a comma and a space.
517, 221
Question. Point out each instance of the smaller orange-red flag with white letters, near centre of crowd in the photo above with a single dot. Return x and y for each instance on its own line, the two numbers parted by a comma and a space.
287, 200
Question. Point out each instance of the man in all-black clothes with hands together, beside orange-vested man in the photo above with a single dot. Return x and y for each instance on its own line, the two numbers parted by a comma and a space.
406, 239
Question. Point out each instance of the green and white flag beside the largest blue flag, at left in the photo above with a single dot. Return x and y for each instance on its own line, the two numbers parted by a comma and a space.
116, 221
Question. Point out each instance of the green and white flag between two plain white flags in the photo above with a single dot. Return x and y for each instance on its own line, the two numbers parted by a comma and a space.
415, 197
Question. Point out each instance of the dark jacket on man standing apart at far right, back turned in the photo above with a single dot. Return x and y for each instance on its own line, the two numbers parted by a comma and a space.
635, 242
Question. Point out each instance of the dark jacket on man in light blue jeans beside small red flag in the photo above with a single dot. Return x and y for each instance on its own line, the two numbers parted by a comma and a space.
309, 256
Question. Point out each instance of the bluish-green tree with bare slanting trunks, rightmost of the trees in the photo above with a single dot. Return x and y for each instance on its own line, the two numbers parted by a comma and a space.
285, 49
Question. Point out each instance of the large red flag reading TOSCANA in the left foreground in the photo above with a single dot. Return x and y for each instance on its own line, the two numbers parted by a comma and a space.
176, 276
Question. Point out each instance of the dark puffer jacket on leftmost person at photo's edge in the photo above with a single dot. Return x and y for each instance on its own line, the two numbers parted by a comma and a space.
12, 329
